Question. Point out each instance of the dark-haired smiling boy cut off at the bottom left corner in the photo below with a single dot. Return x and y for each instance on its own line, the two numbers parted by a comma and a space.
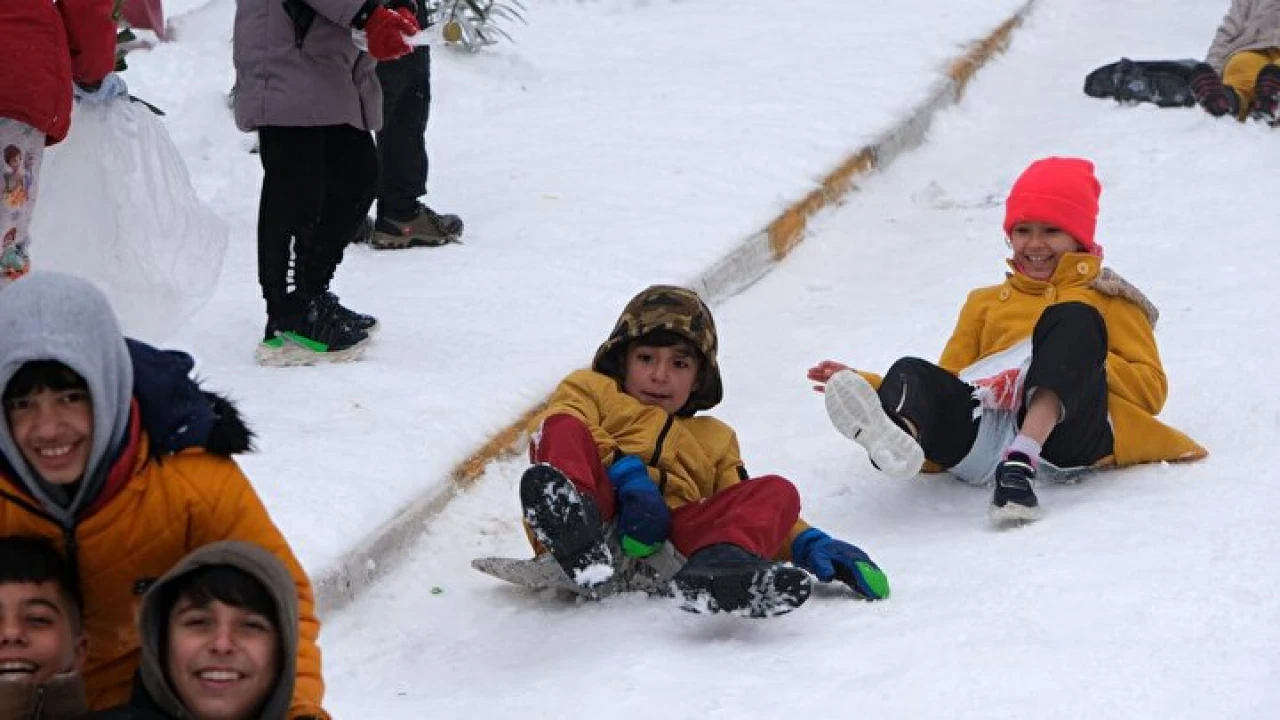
42, 634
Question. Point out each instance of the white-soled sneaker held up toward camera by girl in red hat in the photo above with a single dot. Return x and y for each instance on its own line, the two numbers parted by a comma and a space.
856, 411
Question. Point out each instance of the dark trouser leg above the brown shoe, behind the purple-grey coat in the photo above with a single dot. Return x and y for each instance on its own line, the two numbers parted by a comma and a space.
403, 144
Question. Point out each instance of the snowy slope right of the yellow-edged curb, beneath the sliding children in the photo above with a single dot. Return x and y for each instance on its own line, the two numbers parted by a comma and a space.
1144, 594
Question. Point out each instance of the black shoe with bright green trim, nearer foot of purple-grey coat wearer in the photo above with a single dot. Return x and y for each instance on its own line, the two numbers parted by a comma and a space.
316, 335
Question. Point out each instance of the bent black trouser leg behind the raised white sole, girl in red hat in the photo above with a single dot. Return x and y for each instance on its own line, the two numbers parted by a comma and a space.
936, 403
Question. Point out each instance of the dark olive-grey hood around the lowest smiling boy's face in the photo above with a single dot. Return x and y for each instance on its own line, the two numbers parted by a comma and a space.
263, 567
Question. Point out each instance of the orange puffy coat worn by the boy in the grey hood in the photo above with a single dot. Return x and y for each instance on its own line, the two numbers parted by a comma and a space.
153, 514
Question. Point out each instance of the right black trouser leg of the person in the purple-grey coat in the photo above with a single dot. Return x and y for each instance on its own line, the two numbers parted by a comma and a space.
351, 175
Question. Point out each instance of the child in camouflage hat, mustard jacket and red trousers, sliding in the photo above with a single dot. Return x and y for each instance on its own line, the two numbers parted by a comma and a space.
621, 443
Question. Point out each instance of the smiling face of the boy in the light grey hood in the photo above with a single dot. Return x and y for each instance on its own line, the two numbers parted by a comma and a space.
54, 431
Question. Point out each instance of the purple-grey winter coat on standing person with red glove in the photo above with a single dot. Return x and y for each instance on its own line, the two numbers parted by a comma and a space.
305, 72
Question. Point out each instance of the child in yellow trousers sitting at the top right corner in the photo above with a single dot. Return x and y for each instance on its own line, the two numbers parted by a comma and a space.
1242, 71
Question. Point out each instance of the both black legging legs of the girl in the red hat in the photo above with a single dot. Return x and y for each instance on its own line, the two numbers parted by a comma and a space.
1069, 352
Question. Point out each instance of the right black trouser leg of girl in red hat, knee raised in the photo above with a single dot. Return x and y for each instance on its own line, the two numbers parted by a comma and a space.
1069, 354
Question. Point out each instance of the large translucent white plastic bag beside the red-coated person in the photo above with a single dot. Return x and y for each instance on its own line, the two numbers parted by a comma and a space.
116, 207
